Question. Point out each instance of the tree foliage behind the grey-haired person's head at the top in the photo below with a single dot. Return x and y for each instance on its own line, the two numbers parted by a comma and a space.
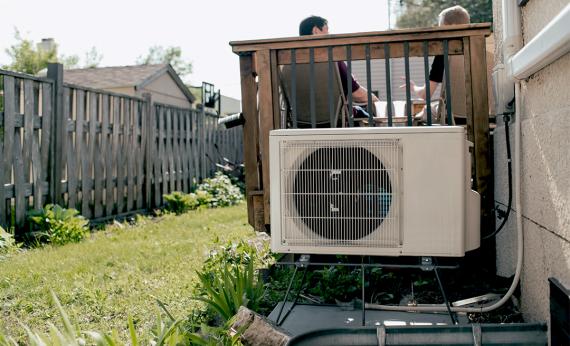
424, 13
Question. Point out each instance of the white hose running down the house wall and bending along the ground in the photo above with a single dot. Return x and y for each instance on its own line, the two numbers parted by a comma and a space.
520, 244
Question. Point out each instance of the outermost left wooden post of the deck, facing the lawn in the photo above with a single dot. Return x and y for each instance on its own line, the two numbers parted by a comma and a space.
250, 131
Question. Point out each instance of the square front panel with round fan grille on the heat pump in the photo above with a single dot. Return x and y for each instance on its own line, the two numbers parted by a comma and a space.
341, 193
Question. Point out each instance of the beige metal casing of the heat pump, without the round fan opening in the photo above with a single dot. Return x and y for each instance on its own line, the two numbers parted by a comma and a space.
432, 190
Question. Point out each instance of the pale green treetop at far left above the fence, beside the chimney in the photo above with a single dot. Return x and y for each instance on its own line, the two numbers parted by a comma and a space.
28, 58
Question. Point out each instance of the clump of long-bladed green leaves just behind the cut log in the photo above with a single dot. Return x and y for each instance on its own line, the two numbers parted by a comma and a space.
236, 286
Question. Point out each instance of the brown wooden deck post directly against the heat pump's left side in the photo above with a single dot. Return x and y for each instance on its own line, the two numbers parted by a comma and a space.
266, 123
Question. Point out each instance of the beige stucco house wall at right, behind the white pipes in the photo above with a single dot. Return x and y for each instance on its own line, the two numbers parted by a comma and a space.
545, 164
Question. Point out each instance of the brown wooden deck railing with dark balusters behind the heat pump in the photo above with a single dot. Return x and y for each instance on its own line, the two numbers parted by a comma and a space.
264, 109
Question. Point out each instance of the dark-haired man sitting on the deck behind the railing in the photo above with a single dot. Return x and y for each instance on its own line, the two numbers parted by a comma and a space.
315, 25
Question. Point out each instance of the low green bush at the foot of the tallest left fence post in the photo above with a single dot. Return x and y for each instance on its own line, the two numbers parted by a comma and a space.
57, 225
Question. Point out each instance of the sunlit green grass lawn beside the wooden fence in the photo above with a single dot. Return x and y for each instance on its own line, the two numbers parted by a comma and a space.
116, 273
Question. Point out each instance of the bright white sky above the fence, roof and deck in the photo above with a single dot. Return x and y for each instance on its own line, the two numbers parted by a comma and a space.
123, 30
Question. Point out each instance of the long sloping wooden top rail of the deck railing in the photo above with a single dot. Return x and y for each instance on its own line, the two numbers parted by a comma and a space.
439, 33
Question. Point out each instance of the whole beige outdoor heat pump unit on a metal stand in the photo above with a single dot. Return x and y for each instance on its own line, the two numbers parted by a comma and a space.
384, 191
